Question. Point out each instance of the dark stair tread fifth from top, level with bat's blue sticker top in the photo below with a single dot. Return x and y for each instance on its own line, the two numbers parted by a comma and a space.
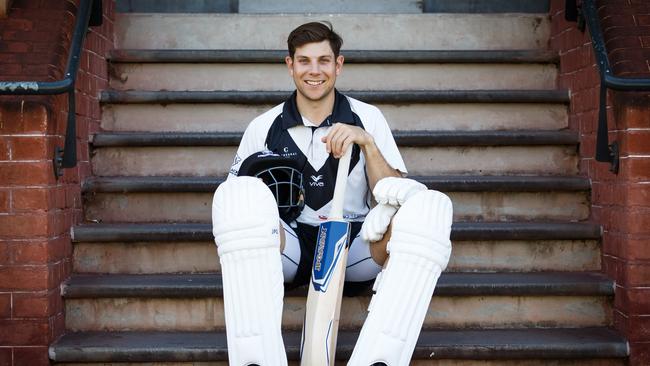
460, 231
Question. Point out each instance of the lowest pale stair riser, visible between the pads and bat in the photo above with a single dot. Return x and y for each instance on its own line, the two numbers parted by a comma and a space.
206, 314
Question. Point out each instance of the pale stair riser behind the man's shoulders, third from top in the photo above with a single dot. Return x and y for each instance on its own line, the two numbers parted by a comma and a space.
232, 117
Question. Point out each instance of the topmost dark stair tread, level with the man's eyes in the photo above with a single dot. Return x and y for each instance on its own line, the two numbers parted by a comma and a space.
351, 56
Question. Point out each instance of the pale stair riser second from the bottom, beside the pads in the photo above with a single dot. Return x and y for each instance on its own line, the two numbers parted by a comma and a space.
467, 256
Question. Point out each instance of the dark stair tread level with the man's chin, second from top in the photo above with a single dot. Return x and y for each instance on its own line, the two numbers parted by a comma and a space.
373, 96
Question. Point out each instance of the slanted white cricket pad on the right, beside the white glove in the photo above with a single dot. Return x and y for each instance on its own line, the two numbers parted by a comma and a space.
419, 251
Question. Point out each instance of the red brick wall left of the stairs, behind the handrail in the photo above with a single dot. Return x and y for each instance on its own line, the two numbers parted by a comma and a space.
36, 210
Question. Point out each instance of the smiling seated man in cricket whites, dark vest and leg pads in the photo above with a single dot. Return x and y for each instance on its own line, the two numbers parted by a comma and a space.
259, 250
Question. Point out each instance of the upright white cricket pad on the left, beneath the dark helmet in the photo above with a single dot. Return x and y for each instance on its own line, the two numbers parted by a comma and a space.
245, 224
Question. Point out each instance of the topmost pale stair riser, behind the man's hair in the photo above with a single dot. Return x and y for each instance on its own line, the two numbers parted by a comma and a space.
359, 31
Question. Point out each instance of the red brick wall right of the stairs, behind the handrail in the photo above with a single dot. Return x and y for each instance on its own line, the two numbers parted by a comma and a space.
621, 203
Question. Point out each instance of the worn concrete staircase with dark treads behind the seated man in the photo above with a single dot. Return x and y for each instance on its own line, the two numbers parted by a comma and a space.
475, 108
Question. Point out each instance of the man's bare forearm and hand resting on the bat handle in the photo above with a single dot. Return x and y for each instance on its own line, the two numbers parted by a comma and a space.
341, 137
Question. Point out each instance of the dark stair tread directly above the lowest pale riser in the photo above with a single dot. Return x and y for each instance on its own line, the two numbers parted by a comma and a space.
450, 284
